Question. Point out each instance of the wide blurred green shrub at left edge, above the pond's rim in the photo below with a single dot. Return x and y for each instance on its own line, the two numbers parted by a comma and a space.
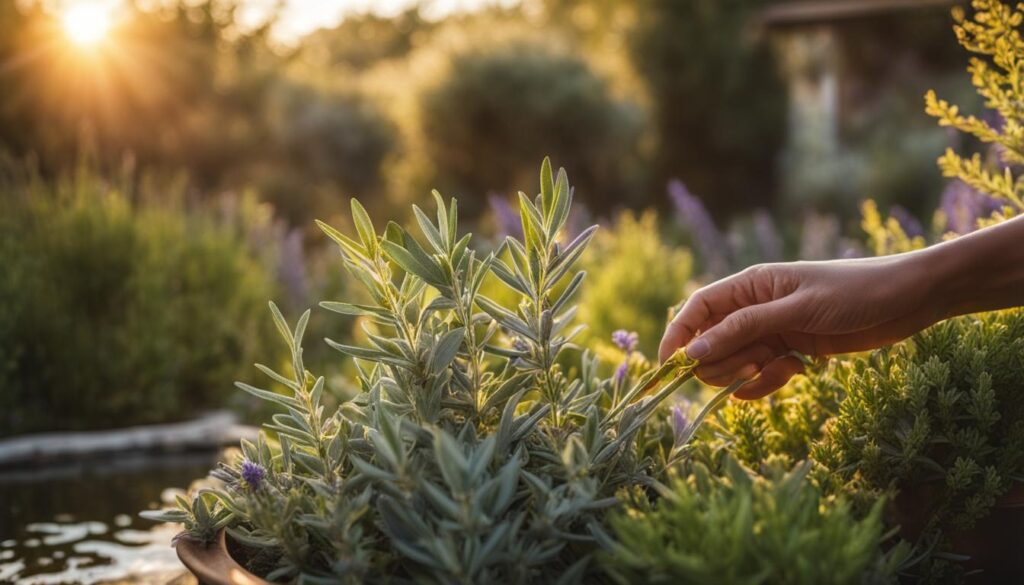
117, 314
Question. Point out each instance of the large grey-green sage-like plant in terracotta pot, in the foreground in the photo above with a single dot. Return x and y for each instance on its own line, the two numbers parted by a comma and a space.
480, 449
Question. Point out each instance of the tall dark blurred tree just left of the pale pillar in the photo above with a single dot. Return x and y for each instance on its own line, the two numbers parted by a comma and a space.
717, 105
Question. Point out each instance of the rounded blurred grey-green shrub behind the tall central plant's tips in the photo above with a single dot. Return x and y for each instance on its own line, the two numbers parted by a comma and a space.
499, 110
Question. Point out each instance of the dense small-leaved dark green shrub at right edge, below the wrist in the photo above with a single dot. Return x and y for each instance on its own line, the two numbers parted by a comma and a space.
947, 409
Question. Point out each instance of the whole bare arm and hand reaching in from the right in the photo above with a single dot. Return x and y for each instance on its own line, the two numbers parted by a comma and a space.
748, 324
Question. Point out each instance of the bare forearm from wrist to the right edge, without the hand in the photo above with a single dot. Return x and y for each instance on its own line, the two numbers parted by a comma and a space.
984, 271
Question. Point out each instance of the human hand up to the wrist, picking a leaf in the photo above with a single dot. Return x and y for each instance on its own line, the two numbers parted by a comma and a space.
750, 323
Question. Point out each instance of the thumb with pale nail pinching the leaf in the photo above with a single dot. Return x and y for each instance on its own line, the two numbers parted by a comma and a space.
740, 329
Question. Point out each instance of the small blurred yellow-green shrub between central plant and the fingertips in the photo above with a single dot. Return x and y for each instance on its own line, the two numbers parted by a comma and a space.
634, 279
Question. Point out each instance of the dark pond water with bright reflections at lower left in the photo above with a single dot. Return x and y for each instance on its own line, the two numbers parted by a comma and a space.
80, 524
